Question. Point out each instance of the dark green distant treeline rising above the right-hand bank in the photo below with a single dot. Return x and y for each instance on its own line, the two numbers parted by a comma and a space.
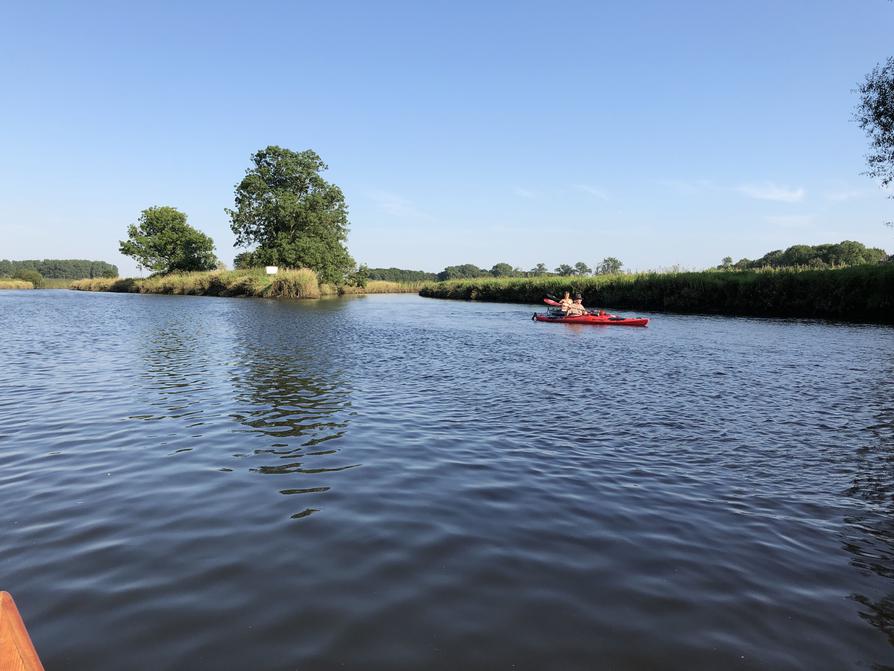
843, 254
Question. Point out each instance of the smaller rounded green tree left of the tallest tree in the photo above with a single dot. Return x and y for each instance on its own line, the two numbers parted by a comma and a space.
162, 241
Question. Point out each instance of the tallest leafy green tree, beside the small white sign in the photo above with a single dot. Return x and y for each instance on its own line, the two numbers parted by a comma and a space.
294, 216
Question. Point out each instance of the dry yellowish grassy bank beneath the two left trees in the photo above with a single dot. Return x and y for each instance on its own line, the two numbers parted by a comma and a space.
300, 283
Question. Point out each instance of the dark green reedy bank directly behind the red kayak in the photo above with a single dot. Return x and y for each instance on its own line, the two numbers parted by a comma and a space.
861, 293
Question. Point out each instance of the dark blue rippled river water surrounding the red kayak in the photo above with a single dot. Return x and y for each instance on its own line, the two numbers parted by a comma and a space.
390, 482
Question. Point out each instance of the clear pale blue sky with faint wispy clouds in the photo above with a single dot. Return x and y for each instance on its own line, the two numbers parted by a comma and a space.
660, 133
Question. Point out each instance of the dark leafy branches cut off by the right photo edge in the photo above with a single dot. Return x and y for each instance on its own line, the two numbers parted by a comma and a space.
875, 115
